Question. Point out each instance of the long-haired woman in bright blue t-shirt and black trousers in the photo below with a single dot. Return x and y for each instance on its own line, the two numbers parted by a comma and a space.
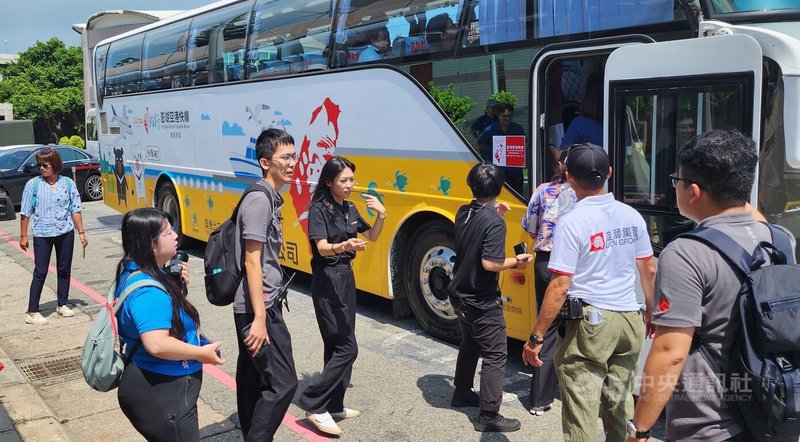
159, 388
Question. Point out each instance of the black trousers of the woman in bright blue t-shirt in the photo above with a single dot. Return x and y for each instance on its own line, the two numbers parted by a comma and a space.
161, 407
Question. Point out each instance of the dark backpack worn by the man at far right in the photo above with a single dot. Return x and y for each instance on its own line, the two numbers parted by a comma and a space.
762, 381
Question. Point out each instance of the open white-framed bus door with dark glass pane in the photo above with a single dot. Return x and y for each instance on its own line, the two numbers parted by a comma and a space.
660, 95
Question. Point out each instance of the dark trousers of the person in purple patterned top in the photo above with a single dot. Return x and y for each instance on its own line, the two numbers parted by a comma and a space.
544, 380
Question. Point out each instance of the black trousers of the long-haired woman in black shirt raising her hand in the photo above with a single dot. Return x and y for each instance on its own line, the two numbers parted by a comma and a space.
333, 291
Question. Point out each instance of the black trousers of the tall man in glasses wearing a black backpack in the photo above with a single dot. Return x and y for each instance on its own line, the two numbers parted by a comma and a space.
265, 385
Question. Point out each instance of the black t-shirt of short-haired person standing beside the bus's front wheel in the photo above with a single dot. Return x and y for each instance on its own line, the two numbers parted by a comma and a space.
480, 233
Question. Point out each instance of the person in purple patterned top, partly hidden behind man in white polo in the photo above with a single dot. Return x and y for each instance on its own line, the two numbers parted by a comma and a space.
548, 202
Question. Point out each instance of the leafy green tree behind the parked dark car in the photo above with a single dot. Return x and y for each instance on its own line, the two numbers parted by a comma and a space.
46, 86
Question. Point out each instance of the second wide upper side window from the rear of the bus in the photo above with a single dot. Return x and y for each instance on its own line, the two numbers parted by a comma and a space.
164, 54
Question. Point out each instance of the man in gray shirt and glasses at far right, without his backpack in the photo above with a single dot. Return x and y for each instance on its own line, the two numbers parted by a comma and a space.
696, 292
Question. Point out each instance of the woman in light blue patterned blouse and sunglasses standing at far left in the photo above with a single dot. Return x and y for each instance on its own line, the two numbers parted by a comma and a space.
53, 203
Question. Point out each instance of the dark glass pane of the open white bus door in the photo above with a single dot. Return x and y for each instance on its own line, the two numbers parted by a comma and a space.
654, 127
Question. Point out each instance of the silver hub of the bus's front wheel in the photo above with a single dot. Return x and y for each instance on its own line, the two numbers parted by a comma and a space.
436, 271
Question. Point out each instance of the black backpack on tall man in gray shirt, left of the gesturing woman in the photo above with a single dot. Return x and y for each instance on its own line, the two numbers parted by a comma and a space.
224, 270
